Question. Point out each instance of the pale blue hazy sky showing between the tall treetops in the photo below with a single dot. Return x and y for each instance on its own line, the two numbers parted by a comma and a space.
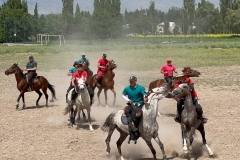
55, 6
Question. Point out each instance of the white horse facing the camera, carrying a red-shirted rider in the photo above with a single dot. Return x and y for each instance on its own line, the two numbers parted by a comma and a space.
81, 102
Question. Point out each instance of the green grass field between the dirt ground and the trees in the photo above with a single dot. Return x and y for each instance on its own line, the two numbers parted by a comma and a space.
143, 58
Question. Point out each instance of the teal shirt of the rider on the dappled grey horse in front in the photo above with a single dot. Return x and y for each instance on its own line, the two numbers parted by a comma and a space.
135, 94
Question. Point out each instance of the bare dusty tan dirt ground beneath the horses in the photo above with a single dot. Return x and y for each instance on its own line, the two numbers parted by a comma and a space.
42, 132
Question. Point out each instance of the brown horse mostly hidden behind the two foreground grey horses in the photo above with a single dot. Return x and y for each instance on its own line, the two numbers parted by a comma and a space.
187, 71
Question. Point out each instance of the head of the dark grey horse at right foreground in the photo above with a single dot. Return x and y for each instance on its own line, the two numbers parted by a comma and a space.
181, 91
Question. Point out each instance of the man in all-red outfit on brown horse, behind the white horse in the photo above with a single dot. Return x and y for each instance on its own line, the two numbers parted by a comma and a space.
102, 63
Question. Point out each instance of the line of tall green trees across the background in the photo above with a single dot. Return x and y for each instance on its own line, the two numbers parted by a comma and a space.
107, 21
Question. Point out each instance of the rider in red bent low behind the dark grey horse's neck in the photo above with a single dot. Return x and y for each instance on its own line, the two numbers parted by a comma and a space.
180, 103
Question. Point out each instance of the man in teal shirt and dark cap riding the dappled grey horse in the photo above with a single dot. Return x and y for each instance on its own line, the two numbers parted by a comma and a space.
134, 94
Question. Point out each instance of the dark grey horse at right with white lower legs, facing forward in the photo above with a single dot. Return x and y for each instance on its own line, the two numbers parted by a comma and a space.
189, 119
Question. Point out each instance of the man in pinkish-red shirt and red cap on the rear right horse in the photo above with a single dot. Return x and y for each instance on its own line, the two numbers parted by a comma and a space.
167, 70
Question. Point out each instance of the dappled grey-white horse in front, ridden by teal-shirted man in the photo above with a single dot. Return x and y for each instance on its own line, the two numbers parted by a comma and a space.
148, 126
